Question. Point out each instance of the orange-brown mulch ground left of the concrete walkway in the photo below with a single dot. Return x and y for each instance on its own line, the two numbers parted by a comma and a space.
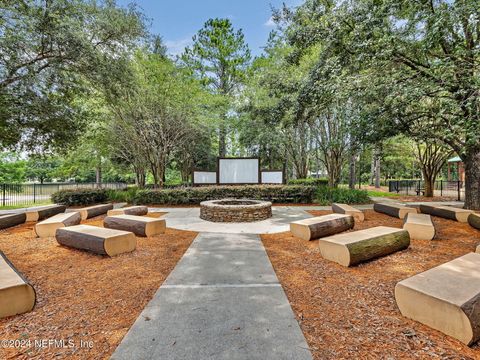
82, 296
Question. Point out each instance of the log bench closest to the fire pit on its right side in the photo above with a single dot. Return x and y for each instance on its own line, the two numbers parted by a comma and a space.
316, 227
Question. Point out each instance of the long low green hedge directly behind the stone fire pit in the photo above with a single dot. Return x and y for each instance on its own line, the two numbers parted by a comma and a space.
195, 195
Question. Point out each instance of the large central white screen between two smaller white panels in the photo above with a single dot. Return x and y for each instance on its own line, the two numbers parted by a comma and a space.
239, 171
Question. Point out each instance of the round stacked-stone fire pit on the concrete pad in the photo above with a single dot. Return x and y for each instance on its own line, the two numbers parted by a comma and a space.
235, 210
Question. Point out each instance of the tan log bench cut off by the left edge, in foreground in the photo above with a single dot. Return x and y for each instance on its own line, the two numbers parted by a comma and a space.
17, 296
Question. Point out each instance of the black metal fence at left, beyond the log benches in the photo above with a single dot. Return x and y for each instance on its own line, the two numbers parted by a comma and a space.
31, 194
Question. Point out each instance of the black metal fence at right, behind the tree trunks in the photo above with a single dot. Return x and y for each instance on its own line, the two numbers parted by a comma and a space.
453, 189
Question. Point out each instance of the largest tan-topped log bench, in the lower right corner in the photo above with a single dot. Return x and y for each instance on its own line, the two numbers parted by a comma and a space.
447, 298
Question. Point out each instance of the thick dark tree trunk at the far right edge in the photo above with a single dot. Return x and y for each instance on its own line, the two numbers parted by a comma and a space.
472, 180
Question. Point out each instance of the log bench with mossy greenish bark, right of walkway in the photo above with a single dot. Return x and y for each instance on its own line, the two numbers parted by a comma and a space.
355, 247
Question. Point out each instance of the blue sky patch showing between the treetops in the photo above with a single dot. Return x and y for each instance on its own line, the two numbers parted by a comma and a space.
178, 20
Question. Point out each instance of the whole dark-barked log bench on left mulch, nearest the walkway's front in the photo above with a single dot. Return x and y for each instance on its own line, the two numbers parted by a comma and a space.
97, 239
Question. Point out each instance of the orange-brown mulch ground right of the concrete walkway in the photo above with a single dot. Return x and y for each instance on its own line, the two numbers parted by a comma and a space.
350, 313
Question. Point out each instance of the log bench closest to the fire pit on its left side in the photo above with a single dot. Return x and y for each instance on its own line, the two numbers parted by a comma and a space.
139, 225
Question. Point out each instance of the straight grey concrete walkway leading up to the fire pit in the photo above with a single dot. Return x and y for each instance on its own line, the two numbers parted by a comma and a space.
222, 301
